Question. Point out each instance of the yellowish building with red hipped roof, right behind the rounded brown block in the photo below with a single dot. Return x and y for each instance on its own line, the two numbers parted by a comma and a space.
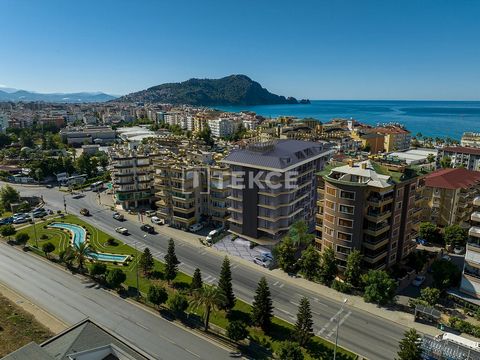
449, 194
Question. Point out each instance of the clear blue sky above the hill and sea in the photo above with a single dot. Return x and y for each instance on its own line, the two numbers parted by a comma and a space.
426, 49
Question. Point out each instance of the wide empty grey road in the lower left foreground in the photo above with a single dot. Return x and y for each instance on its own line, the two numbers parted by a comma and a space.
71, 299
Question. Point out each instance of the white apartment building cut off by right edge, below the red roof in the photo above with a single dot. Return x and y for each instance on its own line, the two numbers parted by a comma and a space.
470, 283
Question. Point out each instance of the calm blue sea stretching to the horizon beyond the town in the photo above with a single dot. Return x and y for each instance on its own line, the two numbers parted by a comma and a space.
431, 118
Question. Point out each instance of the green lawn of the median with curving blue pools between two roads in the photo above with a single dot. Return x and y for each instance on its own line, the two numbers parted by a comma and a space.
281, 330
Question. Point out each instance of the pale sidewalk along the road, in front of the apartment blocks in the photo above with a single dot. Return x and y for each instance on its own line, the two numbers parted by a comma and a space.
401, 318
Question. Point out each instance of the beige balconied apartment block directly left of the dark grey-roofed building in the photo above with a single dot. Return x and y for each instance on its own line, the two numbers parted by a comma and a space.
190, 190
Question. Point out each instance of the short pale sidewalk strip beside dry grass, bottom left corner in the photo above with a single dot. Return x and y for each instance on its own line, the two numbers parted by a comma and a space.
52, 323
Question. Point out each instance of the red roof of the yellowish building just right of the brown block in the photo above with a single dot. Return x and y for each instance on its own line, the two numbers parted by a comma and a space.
458, 178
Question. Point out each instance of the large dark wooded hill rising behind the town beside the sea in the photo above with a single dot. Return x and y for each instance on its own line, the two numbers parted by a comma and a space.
230, 90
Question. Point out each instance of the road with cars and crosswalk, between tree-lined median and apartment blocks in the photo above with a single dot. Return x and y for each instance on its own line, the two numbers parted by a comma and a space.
362, 332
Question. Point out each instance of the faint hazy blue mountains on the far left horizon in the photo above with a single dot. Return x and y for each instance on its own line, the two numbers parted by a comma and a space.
8, 94
